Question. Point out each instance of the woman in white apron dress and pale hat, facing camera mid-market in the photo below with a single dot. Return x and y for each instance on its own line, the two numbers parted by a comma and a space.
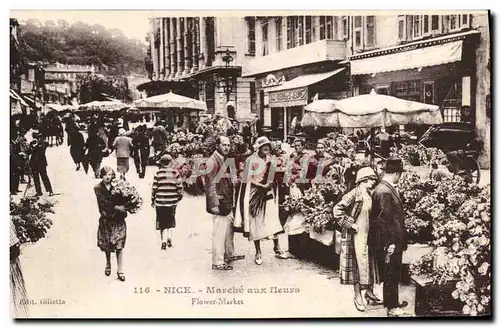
260, 201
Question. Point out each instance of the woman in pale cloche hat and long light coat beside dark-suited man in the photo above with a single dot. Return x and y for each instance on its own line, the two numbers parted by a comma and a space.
357, 265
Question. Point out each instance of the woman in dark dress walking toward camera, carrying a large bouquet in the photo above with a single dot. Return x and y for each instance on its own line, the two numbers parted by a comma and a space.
112, 231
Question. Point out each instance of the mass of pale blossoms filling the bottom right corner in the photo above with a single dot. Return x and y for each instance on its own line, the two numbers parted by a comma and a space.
464, 237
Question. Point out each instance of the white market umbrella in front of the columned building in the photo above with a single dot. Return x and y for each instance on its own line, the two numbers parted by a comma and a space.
171, 100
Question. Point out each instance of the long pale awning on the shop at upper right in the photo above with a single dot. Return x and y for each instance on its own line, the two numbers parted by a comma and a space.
423, 57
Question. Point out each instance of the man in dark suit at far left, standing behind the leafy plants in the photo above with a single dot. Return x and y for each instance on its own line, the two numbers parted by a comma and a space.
38, 164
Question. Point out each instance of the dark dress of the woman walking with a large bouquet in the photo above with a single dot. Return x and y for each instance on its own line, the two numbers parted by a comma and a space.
112, 231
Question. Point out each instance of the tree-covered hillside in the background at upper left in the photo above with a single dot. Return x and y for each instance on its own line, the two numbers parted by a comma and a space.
80, 43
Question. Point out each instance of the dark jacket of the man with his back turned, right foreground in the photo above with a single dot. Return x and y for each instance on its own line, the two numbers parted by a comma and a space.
387, 220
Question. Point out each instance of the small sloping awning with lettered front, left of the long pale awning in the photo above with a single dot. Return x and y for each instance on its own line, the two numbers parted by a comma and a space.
294, 92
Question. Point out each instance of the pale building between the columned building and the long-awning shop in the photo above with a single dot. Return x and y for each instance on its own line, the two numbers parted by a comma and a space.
295, 58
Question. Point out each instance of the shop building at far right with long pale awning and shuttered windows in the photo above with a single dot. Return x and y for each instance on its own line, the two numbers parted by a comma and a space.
434, 59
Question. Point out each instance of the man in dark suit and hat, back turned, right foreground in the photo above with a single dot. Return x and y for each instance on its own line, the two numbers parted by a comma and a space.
387, 234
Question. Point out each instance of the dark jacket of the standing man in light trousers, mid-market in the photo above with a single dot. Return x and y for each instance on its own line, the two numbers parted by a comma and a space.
219, 188
